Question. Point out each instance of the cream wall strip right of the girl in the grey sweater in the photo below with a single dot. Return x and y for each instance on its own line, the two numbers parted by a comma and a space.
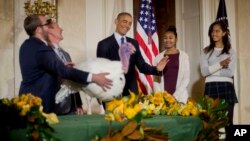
242, 37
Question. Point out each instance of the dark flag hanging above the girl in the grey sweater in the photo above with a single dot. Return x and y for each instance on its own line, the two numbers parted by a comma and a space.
222, 12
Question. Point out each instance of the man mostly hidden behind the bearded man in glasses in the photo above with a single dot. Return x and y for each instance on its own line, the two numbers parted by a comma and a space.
73, 103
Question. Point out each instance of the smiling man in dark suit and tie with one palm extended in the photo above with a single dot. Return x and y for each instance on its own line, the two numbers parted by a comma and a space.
108, 48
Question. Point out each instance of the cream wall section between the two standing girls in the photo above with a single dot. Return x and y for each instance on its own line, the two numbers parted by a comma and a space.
189, 40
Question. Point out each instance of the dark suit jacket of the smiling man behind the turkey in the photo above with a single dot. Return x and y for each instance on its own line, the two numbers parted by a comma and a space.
108, 48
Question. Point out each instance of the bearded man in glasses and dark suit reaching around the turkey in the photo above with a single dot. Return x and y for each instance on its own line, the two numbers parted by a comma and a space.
40, 68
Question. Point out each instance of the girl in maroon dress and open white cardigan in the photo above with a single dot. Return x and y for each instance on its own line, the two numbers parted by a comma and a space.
176, 74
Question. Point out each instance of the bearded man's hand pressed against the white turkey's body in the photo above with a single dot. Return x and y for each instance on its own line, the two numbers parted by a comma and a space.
101, 80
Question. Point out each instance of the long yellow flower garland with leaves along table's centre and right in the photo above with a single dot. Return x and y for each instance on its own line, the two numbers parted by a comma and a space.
134, 108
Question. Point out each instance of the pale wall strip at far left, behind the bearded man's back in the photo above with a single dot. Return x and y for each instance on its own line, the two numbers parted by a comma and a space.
6, 48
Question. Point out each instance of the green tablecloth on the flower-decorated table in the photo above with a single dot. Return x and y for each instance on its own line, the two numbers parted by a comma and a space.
84, 128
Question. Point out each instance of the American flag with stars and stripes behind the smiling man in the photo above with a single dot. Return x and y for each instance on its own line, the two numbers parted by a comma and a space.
147, 37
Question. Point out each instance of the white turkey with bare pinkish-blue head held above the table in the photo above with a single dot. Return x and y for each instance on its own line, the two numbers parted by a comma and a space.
116, 70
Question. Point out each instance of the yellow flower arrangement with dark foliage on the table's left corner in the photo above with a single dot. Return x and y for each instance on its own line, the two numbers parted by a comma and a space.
26, 111
